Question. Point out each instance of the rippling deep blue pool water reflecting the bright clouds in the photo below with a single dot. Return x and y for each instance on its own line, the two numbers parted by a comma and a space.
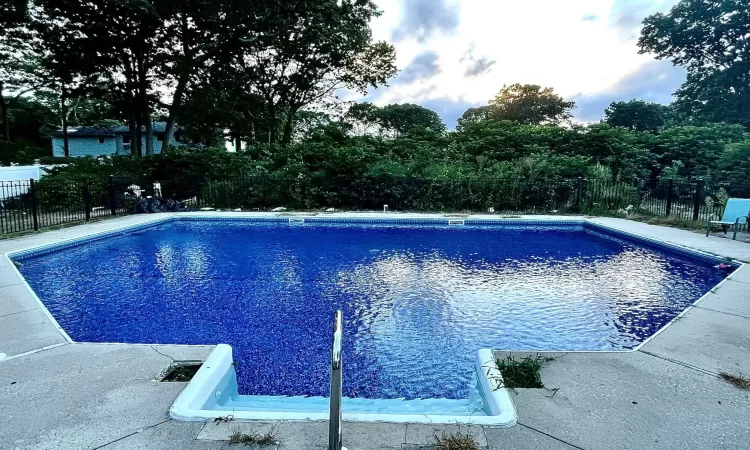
418, 300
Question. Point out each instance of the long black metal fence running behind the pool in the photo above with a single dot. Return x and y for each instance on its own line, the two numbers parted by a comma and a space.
31, 205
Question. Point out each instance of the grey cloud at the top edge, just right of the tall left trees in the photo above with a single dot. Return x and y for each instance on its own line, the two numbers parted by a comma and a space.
420, 19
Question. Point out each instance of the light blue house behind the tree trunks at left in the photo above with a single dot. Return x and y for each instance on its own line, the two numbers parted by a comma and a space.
100, 141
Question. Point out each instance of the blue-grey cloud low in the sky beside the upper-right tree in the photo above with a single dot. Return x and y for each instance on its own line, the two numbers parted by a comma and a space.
654, 81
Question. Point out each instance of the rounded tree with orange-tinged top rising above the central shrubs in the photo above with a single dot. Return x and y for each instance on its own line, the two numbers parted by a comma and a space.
529, 104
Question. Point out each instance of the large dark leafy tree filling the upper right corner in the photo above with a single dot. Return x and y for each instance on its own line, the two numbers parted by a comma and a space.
710, 39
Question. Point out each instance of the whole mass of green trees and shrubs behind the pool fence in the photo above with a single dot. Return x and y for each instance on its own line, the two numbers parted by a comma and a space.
267, 75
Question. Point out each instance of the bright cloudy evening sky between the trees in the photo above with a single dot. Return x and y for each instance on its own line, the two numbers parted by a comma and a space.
457, 54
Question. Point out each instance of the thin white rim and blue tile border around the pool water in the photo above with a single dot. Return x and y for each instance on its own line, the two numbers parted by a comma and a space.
32, 250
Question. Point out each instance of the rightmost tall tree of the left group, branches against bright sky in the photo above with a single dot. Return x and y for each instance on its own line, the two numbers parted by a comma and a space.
302, 57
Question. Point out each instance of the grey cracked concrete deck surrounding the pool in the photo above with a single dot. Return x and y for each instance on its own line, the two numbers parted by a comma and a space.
59, 395
